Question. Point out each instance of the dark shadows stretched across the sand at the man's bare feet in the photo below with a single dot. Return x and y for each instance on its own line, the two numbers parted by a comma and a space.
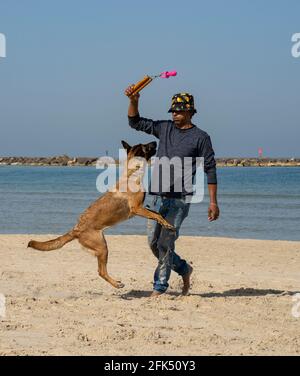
241, 292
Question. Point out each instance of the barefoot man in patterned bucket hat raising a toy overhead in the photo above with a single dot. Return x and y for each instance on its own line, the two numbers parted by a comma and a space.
178, 138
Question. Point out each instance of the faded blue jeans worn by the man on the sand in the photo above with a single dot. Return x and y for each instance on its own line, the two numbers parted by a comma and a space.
162, 240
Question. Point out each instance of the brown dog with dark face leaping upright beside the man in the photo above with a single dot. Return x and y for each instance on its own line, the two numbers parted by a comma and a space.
116, 205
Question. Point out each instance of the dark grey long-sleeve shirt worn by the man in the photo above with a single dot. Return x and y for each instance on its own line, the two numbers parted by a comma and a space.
175, 142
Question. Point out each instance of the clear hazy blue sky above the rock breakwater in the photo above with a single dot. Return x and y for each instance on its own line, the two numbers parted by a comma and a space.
68, 63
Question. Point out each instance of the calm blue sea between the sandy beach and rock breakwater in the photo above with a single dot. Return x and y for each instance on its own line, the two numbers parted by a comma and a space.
255, 202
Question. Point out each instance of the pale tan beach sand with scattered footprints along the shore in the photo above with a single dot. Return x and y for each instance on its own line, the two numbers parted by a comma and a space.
240, 303
